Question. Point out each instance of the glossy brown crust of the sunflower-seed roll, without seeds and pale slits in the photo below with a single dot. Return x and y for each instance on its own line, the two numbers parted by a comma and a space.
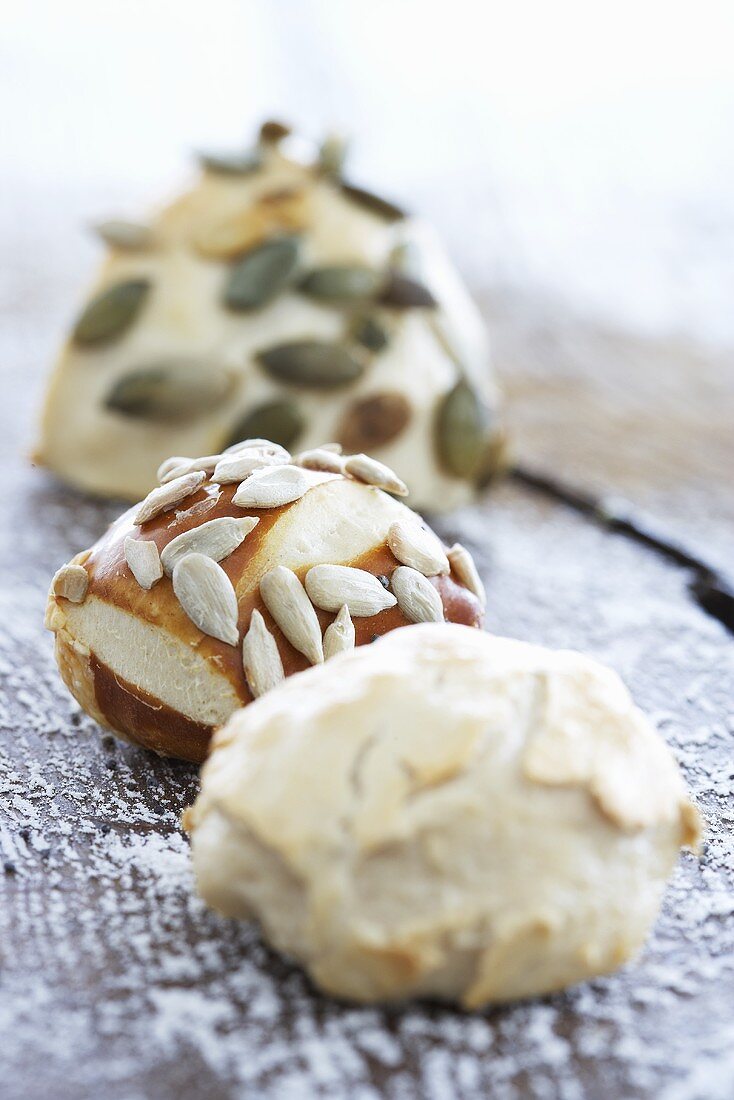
137, 713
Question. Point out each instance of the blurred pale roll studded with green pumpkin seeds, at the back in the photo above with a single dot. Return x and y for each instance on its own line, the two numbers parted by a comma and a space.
273, 300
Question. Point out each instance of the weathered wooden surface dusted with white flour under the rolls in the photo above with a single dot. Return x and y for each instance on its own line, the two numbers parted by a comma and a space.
116, 982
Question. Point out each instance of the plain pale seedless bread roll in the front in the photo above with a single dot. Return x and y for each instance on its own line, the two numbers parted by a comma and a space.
444, 815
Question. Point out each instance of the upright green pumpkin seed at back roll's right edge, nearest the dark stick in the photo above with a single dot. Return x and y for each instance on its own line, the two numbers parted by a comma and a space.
466, 434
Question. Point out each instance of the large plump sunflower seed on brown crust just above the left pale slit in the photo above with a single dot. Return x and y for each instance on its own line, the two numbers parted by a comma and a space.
205, 592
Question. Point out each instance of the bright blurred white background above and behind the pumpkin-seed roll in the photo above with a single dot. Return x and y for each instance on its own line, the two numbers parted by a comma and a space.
577, 153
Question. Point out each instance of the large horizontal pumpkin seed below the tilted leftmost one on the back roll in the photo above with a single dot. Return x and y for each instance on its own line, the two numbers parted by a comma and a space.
170, 393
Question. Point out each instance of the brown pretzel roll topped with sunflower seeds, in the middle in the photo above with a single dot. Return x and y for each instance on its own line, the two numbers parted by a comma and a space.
193, 603
